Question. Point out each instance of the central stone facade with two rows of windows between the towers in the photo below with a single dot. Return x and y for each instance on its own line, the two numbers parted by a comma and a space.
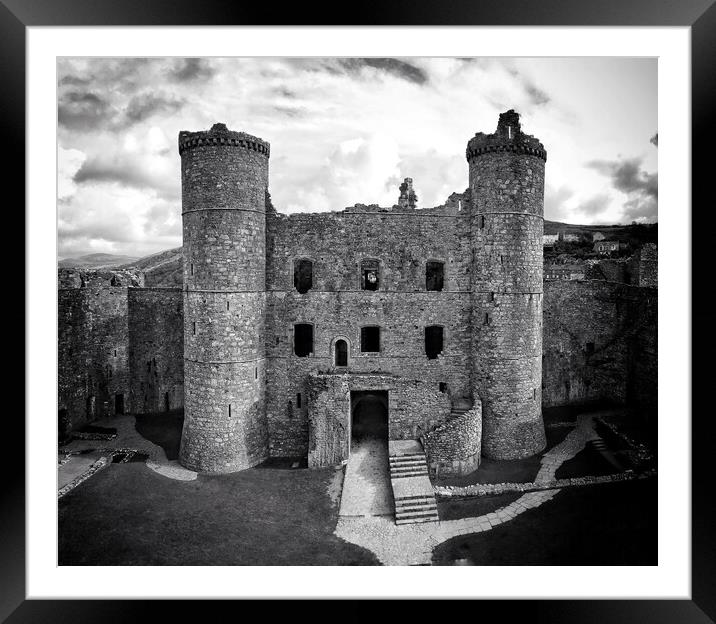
337, 307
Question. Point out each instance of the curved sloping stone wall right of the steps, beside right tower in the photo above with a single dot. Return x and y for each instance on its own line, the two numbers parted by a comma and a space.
453, 447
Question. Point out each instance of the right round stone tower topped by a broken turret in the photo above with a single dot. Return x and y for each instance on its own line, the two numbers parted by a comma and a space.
507, 221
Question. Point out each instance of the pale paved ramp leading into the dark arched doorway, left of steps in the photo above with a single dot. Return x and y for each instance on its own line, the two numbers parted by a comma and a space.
366, 487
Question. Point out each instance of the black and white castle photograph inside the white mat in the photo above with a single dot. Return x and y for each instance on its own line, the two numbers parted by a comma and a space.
357, 311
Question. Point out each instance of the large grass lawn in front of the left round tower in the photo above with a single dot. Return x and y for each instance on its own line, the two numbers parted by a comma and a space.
129, 515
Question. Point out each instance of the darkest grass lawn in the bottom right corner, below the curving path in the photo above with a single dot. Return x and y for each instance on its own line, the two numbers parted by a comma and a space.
610, 524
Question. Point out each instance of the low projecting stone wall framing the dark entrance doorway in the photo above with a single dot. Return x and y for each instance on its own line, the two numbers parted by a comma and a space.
414, 407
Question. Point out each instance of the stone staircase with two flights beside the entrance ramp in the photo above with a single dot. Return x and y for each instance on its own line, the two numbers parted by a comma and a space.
412, 490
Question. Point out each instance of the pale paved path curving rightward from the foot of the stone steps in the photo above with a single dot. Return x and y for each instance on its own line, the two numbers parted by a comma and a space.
413, 544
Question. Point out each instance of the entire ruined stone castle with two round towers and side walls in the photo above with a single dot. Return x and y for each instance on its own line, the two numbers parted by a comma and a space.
285, 323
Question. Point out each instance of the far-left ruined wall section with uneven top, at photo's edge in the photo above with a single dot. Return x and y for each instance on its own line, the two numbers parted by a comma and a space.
93, 365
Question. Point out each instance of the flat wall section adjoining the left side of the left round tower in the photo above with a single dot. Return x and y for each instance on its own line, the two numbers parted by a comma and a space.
156, 350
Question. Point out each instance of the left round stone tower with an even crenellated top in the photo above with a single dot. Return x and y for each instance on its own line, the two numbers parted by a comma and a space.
224, 190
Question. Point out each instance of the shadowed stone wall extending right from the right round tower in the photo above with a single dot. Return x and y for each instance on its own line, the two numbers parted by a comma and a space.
599, 343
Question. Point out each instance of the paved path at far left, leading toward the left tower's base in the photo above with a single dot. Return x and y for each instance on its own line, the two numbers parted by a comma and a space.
127, 438
